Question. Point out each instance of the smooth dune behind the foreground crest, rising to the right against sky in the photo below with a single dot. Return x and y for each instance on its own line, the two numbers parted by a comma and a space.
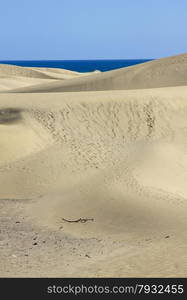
165, 72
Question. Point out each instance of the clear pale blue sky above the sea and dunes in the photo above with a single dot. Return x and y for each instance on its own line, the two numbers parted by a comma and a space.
88, 29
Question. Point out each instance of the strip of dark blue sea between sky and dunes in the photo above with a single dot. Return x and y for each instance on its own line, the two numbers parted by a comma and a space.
79, 65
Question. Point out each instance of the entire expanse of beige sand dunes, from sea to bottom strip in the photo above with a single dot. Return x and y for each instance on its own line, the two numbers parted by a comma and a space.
113, 160
